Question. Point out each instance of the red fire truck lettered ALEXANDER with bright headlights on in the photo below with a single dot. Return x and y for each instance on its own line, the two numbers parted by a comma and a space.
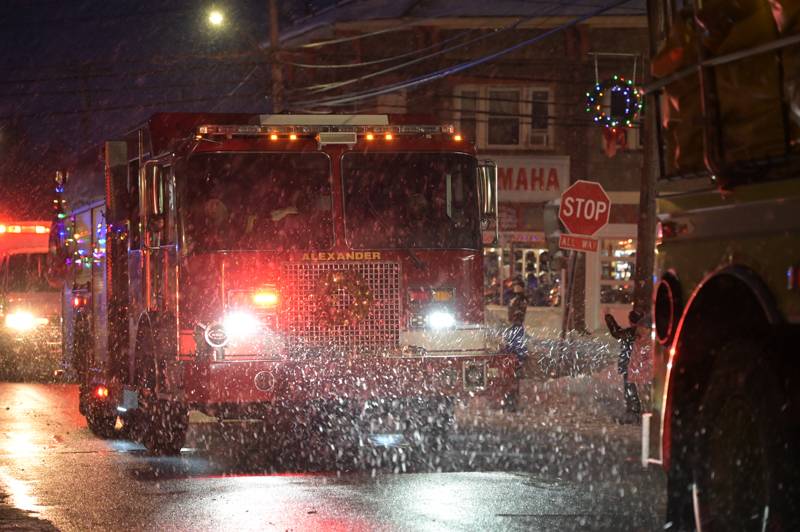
275, 266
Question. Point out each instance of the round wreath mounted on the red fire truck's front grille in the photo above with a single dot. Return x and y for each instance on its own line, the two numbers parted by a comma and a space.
329, 291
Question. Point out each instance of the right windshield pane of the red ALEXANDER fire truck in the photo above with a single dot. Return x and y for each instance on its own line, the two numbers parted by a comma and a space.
410, 200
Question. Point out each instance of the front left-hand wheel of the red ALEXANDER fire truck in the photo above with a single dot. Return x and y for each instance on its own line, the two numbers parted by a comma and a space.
165, 425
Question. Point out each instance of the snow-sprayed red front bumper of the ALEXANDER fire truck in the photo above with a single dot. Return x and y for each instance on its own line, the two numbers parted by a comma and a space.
208, 384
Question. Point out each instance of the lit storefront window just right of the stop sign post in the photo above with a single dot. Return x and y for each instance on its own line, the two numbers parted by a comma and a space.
617, 266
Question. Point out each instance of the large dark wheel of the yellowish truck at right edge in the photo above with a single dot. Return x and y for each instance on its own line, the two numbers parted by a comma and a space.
741, 448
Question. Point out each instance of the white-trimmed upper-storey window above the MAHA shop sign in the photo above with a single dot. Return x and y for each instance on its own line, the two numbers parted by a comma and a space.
505, 117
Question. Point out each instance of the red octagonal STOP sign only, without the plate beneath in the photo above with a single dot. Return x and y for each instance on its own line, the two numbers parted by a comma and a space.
585, 208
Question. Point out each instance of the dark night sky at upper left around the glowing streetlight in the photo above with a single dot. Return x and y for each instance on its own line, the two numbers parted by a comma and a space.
76, 72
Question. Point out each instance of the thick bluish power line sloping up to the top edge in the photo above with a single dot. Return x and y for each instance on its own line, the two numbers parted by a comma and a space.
442, 73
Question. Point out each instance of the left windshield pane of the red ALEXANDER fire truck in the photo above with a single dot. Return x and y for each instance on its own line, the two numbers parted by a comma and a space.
256, 201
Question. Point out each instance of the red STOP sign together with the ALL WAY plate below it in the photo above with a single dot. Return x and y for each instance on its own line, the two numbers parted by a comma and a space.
585, 209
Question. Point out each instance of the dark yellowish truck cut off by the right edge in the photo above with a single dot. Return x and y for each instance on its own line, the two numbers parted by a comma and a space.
727, 301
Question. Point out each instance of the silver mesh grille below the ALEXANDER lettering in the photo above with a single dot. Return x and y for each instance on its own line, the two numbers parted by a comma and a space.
321, 318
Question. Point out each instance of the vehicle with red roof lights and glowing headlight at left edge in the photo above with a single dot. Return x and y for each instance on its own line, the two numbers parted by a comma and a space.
30, 312
